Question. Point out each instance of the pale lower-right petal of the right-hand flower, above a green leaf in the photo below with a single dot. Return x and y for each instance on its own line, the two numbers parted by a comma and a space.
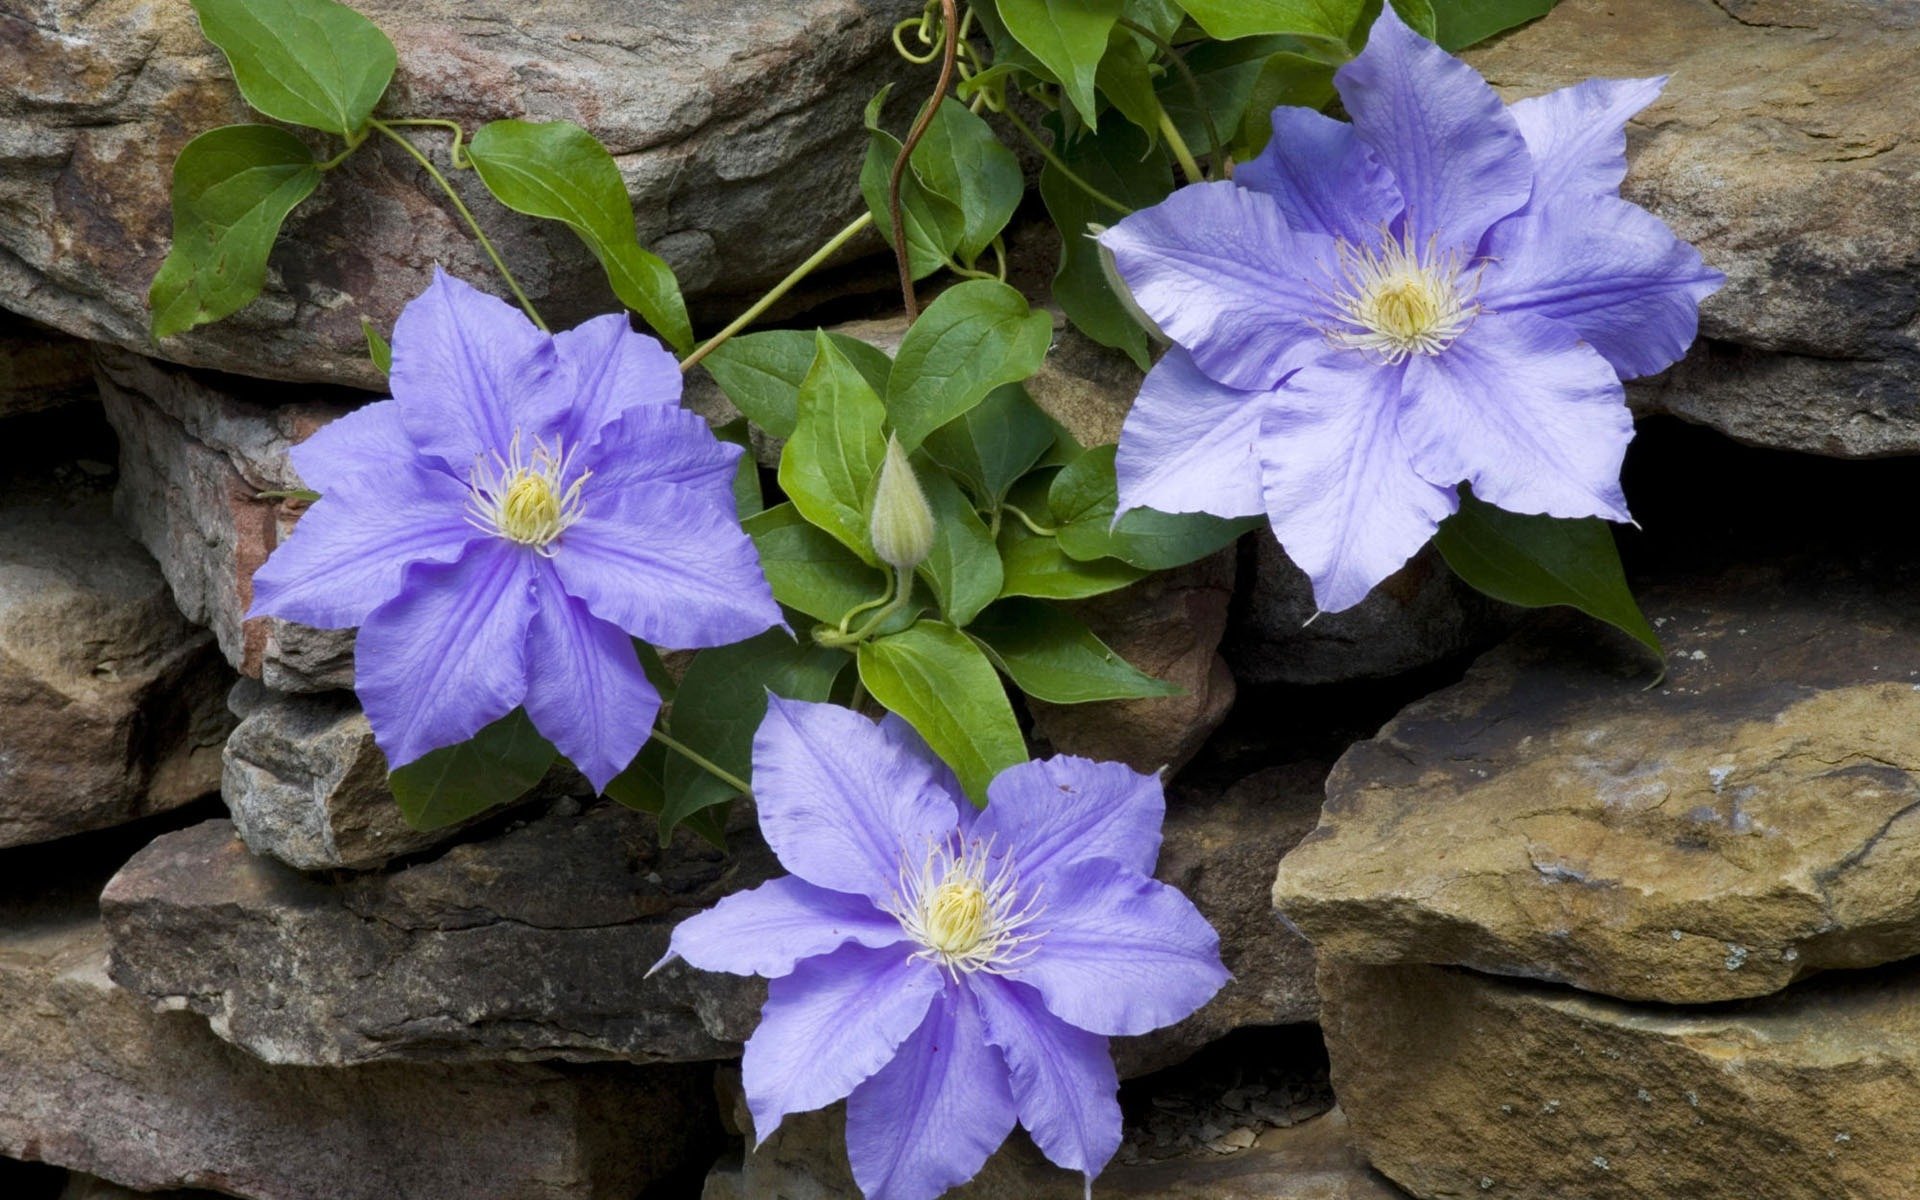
1527, 414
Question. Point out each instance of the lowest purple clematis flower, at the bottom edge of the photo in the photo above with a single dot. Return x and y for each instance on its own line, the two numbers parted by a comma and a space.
949, 972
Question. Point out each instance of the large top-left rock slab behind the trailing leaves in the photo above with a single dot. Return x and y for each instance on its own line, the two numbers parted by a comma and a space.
736, 126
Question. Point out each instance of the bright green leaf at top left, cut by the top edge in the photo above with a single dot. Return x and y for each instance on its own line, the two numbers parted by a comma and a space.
308, 62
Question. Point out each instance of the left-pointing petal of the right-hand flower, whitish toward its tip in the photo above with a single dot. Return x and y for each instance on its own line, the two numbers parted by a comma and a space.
1218, 270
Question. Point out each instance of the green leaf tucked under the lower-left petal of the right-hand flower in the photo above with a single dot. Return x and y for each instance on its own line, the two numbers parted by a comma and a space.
1084, 498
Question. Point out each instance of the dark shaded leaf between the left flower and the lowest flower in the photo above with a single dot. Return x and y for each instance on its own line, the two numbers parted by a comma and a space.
721, 704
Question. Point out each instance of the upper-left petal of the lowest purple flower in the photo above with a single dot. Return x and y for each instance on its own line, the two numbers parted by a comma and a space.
840, 802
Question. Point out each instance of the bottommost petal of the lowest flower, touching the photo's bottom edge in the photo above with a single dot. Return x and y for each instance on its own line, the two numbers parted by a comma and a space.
932, 1118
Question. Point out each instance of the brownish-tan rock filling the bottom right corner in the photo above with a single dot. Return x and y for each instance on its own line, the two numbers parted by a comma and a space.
1468, 1086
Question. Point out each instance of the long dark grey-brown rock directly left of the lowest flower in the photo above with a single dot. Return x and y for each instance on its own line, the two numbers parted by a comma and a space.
529, 946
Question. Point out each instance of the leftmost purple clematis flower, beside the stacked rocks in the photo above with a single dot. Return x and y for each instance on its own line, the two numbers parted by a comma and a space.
510, 523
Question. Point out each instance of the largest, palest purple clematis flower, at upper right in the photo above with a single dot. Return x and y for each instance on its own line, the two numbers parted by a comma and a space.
1449, 291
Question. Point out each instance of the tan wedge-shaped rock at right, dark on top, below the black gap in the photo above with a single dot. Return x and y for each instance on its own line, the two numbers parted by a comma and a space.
1754, 819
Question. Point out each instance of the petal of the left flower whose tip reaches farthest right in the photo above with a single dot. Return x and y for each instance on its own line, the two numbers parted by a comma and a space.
669, 567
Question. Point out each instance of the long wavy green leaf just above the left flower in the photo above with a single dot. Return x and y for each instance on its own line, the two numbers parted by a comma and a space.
560, 172
